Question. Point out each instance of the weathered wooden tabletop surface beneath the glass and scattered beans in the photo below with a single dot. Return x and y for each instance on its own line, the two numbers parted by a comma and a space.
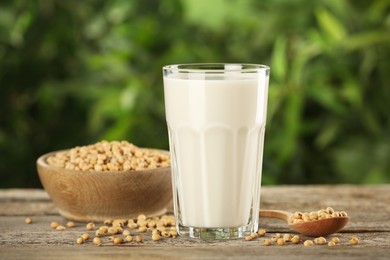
368, 207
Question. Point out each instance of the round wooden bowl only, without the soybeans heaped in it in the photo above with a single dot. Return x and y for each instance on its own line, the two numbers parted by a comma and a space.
96, 196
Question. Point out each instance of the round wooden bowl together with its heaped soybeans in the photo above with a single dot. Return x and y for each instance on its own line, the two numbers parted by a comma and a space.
107, 180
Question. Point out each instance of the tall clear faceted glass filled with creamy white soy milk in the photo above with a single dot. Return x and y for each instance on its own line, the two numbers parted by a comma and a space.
216, 116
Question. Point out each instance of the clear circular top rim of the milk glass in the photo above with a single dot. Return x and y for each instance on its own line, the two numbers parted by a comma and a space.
216, 67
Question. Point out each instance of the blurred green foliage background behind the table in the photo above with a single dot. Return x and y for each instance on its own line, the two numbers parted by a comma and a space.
76, 72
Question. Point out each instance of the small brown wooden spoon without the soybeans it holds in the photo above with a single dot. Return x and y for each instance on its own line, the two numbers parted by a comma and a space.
322, 227
